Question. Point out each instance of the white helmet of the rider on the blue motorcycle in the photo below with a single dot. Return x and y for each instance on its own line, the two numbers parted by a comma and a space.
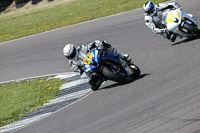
70, 51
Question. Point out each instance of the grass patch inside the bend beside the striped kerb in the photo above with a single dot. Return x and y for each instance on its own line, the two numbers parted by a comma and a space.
18, 98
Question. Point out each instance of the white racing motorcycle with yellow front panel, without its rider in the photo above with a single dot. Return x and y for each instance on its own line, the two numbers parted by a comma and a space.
182, 24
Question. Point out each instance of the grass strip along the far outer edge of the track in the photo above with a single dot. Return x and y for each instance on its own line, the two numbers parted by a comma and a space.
22, 22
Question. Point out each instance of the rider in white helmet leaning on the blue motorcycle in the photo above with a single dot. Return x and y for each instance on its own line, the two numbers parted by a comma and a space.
76, 55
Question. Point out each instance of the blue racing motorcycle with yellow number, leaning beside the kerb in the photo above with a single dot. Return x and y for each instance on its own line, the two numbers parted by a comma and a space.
107, 65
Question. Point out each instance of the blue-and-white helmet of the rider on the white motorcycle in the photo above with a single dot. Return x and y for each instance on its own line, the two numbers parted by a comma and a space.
149, 8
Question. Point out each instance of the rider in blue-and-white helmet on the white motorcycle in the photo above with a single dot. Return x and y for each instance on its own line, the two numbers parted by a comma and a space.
155, 16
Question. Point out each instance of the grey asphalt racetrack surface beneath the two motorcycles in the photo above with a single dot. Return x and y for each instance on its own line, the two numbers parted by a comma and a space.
166, 99
